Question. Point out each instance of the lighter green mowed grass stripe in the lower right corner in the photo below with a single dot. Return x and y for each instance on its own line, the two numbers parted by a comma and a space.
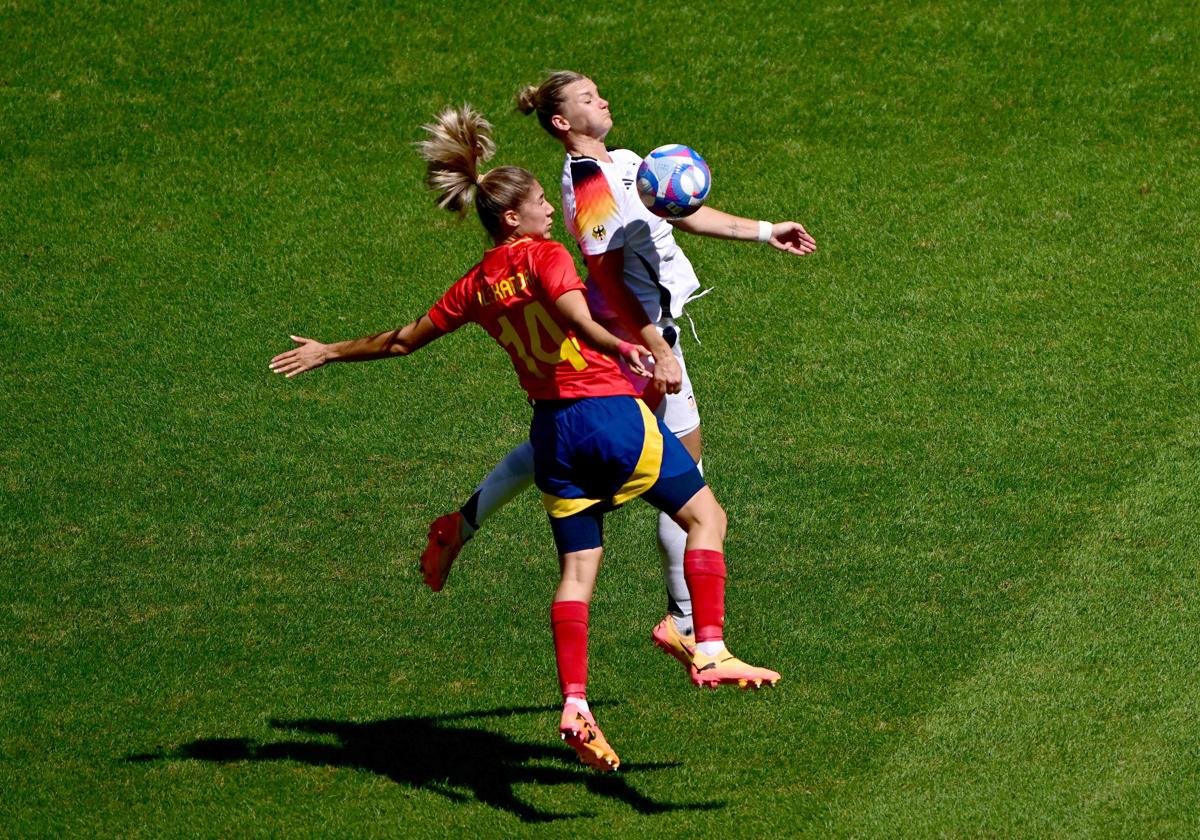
1082, 716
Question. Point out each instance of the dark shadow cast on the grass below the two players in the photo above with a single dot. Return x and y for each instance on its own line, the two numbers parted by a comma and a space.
459, 763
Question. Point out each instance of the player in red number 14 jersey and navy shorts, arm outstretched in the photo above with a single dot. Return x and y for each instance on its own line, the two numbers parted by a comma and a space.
596, 445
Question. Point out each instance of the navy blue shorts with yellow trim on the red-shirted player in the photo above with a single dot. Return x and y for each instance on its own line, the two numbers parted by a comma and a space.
593, 455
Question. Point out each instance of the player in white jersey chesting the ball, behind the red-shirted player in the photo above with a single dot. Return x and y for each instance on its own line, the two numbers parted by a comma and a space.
638, 275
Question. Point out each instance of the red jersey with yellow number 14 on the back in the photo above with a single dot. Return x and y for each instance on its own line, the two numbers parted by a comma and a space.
512, 295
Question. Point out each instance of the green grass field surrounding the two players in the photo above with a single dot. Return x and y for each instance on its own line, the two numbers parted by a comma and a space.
959, 446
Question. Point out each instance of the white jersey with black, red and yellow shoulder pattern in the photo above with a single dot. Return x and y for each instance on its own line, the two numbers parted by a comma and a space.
604, 212
